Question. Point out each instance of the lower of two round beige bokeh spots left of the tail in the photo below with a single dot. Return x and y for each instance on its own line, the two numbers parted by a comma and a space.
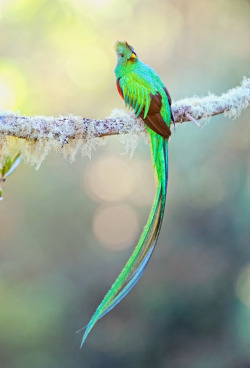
116, 227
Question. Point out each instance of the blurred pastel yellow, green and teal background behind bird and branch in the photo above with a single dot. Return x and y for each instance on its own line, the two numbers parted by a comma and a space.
67, 230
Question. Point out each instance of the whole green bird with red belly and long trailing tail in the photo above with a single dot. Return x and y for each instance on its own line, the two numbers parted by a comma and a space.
143, 91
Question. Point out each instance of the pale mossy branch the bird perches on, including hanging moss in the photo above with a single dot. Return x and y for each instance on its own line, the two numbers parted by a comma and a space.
41, 134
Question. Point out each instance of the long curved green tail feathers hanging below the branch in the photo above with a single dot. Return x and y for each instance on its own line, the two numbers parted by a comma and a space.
138, 261
